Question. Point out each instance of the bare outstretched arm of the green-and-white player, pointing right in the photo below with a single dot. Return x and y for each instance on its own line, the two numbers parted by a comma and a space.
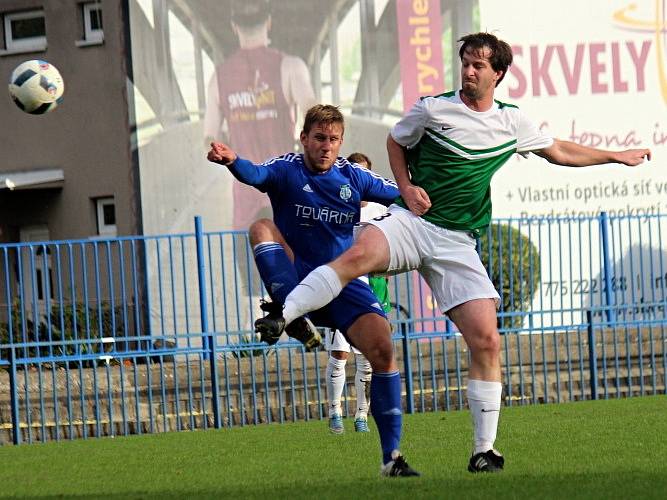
571, 154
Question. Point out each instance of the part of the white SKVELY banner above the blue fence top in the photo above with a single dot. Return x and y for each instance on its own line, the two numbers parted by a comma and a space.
592, 73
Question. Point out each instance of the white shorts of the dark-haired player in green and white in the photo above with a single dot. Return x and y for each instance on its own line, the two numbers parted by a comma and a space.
447, 259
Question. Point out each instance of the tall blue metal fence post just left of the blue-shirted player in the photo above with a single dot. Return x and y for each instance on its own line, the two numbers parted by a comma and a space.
208, 338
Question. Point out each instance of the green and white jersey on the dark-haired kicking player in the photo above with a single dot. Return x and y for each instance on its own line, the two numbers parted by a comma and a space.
454, 151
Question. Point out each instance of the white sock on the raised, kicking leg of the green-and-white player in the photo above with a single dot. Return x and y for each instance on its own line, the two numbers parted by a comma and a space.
315, 291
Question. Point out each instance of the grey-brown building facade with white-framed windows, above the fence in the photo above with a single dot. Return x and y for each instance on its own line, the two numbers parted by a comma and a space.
71, 171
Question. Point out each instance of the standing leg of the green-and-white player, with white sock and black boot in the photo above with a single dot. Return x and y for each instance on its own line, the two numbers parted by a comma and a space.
476, 320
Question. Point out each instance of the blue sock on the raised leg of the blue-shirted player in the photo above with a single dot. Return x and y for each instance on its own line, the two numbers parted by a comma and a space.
276, 270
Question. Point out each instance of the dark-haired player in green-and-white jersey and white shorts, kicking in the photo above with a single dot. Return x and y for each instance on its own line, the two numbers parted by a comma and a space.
443, 154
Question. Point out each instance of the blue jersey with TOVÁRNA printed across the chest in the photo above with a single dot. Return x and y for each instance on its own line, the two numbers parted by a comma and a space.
315, 212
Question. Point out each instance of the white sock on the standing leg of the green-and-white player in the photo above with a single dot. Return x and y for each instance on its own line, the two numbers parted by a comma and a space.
484, 402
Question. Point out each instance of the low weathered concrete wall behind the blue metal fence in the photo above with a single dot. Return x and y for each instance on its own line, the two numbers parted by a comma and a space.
169, 394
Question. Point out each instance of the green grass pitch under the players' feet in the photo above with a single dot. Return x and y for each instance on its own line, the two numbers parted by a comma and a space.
593, 449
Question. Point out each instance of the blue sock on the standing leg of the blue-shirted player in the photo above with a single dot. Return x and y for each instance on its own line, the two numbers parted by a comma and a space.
386, 410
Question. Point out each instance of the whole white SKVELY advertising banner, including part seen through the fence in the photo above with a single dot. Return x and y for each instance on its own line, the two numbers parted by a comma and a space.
592, 73
